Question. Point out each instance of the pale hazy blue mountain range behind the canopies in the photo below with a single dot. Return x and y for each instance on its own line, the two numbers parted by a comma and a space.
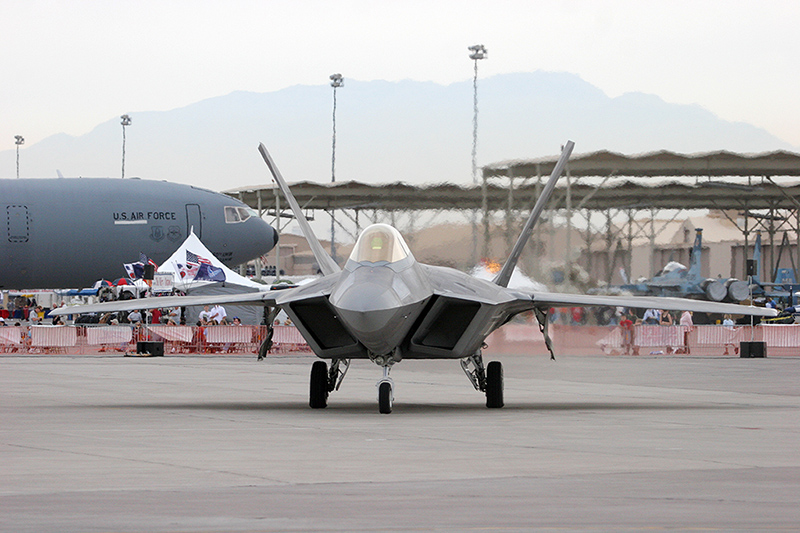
417, 132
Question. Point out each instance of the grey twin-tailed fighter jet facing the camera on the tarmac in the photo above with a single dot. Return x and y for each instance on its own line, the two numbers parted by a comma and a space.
386, 307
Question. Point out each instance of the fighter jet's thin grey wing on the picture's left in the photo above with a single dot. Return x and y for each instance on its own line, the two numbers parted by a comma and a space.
249, 298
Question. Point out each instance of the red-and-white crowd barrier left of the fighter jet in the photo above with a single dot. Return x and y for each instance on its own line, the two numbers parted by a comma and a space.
85, 339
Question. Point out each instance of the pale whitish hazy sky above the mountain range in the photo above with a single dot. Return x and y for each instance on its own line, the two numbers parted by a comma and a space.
66, 66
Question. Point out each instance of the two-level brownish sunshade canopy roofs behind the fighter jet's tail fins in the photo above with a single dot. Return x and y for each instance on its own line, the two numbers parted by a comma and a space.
616, 193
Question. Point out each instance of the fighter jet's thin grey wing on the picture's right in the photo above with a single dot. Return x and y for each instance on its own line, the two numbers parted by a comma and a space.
554, 299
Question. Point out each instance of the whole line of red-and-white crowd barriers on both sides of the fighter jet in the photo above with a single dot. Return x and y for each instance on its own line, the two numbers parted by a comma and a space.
512, 338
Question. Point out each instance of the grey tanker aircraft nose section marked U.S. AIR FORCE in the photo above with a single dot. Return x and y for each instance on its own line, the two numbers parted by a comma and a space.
70, 232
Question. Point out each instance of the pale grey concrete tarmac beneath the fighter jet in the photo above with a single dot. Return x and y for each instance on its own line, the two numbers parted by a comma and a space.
209, 443
